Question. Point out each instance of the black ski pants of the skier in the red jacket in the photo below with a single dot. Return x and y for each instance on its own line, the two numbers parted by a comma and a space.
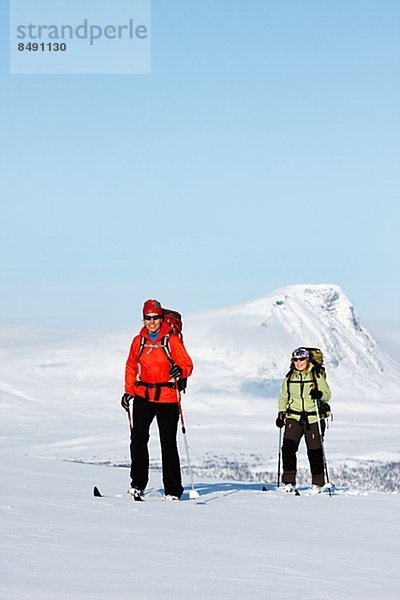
167, 415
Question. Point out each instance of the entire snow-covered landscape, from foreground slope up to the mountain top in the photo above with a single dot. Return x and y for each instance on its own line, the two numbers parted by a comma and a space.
63, 432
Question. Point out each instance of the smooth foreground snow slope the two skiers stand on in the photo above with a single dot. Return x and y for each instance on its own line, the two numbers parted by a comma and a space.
236, 541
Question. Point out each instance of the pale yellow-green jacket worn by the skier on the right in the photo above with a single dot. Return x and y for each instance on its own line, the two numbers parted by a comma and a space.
299, 399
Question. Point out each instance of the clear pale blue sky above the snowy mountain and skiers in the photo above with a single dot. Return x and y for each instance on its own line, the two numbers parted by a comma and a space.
263, 150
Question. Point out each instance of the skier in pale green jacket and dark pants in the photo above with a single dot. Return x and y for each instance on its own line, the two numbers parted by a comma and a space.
302, 388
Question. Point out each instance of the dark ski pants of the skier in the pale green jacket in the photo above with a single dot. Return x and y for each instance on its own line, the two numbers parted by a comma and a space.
294, 431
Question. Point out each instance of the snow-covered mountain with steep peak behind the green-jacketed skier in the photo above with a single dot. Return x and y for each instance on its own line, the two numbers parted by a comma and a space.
254, 340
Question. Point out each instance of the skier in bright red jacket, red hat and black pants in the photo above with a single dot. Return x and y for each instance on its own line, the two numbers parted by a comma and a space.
157, 359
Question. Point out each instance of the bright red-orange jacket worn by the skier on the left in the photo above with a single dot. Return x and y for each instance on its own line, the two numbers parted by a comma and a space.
153, 365
